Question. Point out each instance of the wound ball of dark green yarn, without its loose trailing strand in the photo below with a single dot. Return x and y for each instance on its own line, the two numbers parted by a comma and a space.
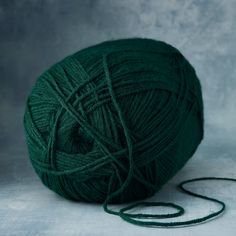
117, 119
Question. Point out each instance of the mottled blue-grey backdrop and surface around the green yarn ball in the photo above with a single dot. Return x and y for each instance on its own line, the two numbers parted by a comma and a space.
35, 34
